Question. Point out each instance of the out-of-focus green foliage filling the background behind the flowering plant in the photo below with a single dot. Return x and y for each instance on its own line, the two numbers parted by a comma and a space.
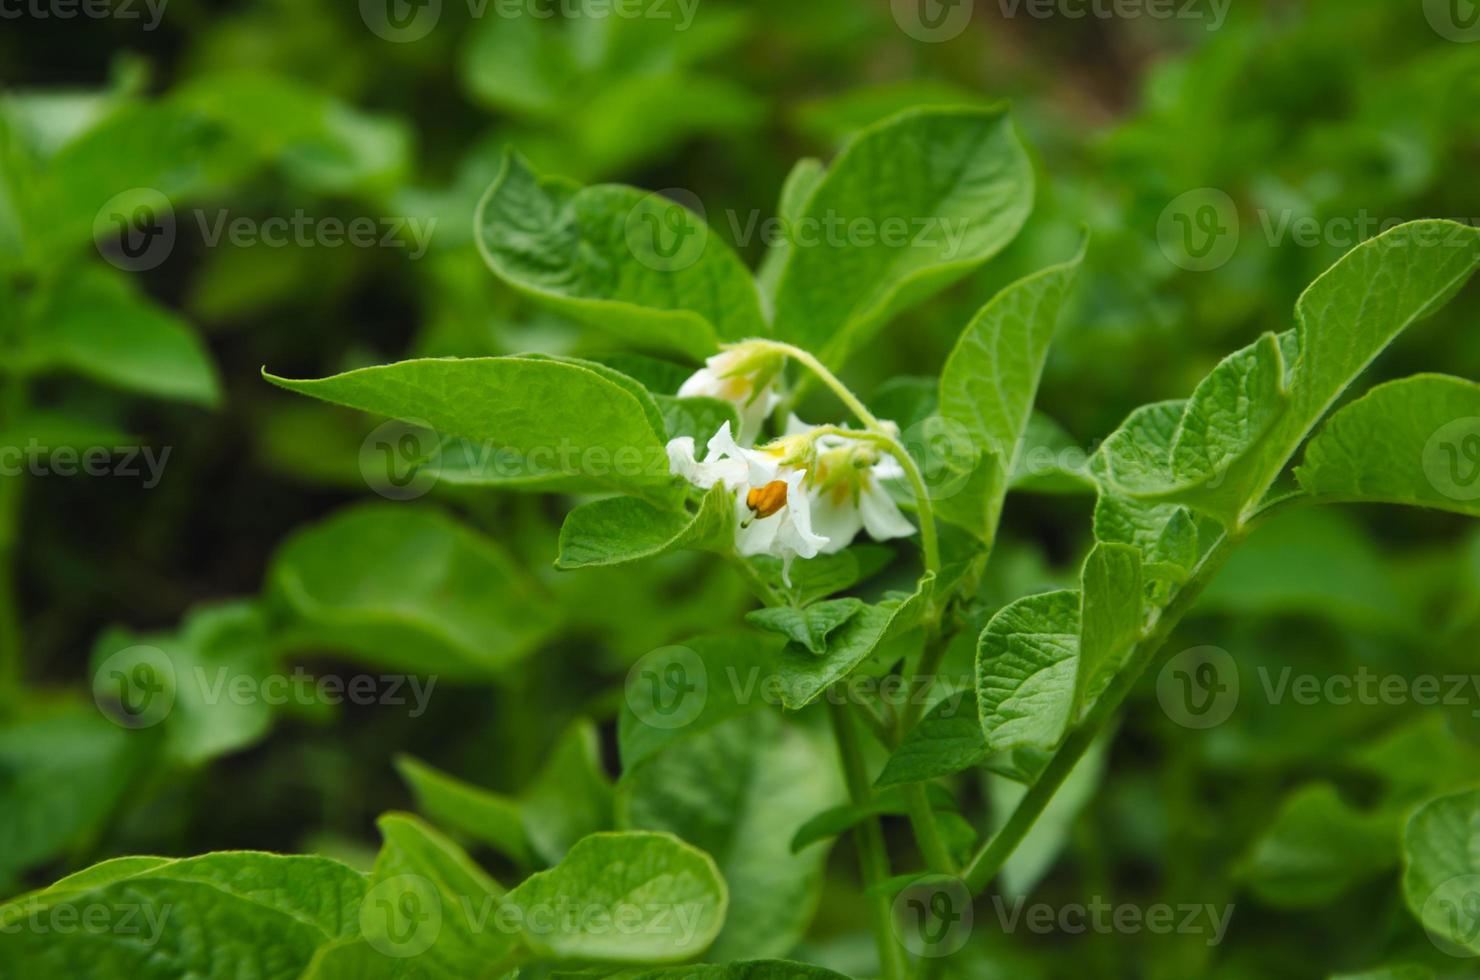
258, 548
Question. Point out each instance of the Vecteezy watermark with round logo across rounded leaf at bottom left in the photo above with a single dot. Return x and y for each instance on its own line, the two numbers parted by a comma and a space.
405, 916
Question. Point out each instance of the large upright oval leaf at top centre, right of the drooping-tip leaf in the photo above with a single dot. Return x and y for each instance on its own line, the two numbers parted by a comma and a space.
943, 192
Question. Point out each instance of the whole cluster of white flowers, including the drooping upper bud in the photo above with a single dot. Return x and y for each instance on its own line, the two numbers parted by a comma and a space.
804, 495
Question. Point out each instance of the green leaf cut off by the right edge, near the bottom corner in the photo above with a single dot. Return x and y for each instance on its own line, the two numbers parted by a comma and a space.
1442, 871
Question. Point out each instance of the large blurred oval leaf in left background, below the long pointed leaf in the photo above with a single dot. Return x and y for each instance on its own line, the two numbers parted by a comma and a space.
409, 588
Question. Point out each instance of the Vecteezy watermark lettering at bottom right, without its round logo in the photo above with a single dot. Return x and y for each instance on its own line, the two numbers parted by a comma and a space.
1109, 919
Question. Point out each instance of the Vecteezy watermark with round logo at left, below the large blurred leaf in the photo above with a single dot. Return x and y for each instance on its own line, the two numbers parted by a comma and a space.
138, 688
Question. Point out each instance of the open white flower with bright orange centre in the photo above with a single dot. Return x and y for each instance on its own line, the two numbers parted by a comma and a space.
772, 506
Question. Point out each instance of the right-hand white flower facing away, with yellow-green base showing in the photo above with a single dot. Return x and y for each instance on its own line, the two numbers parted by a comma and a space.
846, 491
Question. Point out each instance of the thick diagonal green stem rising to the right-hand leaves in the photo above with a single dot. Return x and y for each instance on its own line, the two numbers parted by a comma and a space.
995, 853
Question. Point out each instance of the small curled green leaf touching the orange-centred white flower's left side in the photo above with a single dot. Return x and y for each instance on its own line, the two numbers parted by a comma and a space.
619, 531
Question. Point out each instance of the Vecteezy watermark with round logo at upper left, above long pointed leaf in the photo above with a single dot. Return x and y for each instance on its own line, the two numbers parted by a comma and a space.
138, 229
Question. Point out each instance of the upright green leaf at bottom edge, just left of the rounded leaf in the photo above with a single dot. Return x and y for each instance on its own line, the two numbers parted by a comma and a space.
428, 899
